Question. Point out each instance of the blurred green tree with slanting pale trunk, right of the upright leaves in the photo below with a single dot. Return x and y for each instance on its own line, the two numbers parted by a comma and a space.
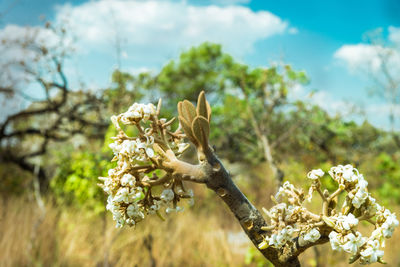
263, 95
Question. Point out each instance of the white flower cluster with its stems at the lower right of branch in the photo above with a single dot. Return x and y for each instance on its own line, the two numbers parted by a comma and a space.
290, 219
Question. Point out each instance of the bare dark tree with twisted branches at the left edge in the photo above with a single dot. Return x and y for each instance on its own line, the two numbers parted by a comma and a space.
32, 74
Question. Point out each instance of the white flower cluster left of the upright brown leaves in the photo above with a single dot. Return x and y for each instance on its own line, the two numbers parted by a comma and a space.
140, 184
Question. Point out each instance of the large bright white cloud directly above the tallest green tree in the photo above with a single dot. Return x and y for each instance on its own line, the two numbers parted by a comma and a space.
153, 29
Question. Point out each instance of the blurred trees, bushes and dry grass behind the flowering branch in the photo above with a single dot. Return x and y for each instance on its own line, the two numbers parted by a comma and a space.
262, 134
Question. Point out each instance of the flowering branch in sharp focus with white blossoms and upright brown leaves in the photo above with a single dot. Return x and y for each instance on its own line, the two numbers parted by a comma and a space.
150, 177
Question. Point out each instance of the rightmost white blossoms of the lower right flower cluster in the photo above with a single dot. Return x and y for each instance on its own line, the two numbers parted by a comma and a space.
359, 203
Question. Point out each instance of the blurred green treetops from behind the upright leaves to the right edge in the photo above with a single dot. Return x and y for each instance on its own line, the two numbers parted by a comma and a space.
297, 131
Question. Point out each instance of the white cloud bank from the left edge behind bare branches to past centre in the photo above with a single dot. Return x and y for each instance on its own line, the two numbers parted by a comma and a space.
149, 32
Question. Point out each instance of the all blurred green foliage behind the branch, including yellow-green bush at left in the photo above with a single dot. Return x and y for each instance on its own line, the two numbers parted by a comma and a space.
302, 136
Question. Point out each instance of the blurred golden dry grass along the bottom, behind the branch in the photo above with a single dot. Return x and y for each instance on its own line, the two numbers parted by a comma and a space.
70, 237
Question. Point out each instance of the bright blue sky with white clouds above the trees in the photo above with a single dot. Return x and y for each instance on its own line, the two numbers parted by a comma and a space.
324, 38
